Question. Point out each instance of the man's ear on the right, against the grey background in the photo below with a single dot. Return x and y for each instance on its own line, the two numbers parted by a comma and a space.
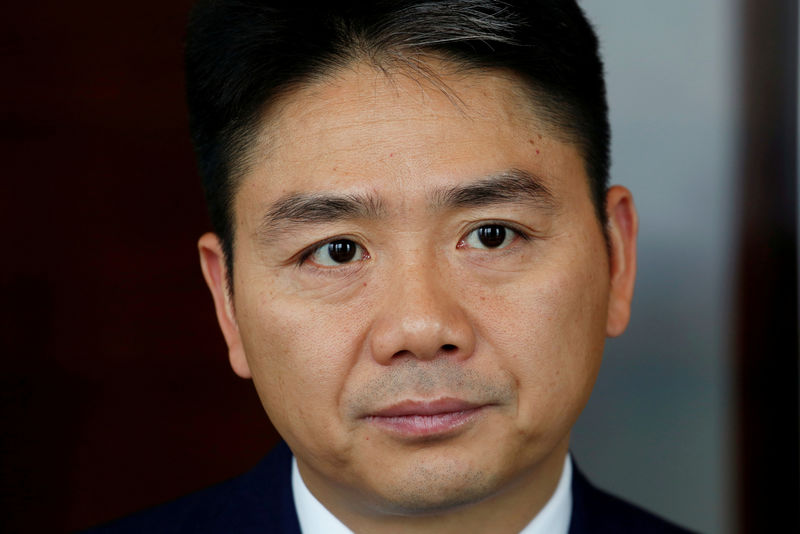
623, 225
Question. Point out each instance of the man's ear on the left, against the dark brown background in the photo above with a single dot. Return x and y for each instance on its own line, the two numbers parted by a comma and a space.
212, 261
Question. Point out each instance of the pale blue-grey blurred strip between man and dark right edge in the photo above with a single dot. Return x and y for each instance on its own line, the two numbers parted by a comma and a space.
660, 425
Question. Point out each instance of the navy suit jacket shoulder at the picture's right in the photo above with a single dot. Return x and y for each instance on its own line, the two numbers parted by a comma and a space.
597, 512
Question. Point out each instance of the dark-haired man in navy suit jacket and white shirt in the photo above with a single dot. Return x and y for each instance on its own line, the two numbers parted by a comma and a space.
416, 259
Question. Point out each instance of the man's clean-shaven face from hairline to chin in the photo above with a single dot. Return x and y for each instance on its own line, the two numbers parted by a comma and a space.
421, 288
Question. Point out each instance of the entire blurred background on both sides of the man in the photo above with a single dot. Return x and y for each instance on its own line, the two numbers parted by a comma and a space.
115, 392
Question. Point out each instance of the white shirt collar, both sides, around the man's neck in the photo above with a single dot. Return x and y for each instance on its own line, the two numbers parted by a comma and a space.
552, 519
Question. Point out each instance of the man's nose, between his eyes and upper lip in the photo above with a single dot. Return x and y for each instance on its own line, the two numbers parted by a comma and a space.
421, 317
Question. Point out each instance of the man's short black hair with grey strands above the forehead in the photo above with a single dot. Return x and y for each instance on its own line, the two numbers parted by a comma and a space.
244, 55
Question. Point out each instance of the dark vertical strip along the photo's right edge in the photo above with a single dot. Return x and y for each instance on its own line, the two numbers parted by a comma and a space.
767, 359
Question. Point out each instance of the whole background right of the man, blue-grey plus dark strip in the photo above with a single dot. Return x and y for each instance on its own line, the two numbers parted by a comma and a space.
703, 98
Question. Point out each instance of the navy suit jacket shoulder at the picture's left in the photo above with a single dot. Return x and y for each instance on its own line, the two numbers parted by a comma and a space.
257, 501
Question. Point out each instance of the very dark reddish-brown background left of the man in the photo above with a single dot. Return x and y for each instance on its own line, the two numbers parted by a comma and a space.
115, 390
